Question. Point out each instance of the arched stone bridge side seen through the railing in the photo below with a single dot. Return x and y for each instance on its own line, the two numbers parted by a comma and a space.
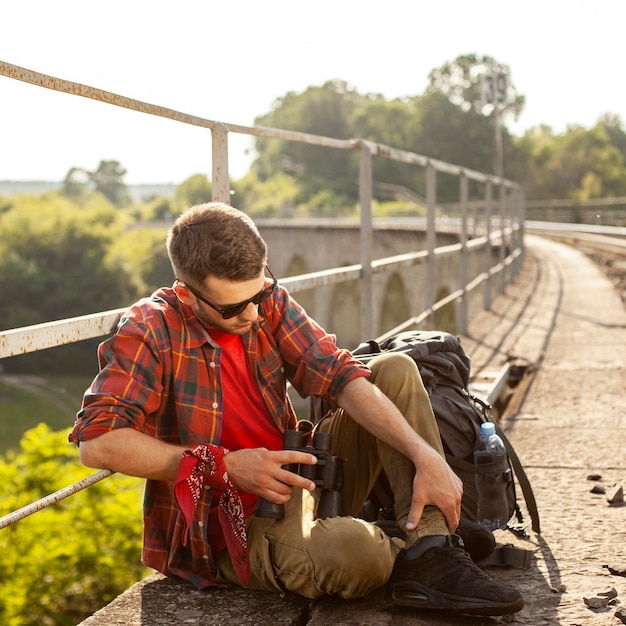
301, 247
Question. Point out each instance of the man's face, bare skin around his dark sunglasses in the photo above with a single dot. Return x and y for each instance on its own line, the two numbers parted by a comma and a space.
224, 293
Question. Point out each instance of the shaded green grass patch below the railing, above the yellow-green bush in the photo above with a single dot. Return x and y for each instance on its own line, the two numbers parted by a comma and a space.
54, 403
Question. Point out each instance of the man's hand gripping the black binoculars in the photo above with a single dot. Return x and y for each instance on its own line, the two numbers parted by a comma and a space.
260, 471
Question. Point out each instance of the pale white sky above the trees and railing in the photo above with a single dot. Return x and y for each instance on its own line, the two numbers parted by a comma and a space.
230, 60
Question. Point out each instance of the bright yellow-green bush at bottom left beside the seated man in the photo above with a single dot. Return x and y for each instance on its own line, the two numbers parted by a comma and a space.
60, 565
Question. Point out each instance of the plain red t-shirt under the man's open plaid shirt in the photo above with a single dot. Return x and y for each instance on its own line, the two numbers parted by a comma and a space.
246, 421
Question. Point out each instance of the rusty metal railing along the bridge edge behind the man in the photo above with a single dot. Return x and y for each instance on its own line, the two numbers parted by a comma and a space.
496, 228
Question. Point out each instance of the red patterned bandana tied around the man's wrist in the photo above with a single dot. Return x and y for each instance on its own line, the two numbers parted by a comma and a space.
188, 487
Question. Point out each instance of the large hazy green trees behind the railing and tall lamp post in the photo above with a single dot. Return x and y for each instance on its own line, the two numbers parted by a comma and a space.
448, 123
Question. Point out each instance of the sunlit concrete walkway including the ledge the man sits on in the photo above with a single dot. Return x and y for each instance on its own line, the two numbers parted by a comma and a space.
564, 323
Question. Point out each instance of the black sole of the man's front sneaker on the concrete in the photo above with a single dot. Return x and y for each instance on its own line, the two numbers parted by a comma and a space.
408, 595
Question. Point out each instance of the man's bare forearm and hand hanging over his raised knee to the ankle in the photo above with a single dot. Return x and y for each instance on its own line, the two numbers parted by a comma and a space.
435, 483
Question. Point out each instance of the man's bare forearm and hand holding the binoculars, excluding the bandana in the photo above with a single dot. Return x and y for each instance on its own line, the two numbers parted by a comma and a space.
258, 471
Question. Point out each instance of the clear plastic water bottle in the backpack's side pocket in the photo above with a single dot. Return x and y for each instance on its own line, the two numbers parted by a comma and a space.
493, 508
